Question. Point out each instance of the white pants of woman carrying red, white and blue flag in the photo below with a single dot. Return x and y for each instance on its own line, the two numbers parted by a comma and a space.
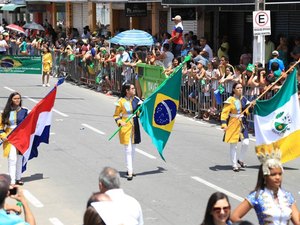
14, 165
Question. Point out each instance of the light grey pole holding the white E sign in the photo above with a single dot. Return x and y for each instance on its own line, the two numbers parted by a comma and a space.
259, 40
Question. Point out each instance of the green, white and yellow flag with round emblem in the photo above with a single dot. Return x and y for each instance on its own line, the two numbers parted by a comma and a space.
277, 121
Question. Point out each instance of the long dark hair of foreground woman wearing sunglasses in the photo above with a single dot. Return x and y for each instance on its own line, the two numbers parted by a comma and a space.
208, 218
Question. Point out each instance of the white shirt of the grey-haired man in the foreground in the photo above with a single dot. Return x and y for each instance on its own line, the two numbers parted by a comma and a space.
126, 206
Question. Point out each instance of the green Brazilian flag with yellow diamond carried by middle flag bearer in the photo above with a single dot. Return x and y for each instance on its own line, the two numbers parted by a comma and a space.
159, 110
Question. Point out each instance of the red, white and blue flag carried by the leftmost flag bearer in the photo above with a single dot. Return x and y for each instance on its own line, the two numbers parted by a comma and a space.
35, 128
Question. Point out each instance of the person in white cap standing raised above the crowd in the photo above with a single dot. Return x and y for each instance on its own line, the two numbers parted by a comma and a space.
176, 36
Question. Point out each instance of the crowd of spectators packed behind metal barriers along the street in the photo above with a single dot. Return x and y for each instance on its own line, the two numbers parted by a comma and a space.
207, 78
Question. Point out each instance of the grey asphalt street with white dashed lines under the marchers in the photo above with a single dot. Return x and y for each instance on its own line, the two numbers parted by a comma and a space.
173, 192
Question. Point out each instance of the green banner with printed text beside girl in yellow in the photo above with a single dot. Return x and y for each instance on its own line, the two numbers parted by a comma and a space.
20, 64
